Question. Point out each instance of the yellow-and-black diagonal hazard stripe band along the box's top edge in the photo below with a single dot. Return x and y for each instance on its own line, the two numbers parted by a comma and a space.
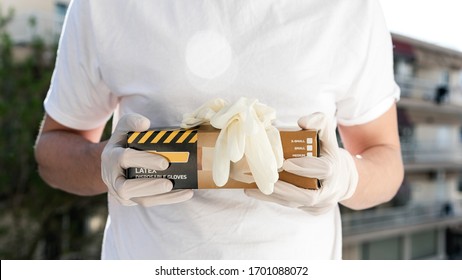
163, 136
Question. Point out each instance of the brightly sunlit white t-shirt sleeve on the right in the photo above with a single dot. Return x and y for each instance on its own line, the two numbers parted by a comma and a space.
373, 89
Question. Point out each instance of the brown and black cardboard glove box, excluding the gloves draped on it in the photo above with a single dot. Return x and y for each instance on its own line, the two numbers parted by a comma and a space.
190, 153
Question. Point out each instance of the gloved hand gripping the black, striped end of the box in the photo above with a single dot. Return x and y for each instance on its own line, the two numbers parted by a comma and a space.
116, 157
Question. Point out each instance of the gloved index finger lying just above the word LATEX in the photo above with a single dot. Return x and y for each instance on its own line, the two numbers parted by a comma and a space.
135, 158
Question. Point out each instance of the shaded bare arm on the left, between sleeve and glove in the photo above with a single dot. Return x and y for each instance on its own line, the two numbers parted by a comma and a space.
70, 159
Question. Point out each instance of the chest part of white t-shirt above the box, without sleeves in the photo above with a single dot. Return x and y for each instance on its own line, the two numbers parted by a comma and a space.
164, 59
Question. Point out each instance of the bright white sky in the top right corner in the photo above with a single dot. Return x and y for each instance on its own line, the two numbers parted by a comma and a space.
435, 21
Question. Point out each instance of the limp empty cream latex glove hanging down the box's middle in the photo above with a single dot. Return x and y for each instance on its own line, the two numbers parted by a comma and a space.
246, 130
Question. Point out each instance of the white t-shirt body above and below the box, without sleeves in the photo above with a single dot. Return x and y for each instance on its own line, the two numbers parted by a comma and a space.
166, 58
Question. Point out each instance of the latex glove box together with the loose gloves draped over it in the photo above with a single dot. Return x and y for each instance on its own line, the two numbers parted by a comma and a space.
229, 145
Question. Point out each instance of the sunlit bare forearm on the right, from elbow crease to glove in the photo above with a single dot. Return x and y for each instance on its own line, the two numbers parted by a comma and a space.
380, 171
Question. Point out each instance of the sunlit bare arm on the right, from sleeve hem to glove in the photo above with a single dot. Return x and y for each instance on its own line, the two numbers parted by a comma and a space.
379, 162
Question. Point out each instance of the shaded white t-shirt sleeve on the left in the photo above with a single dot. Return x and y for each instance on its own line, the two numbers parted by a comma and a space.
78, 97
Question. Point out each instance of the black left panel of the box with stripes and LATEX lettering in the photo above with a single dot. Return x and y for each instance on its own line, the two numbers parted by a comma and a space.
177, 145
